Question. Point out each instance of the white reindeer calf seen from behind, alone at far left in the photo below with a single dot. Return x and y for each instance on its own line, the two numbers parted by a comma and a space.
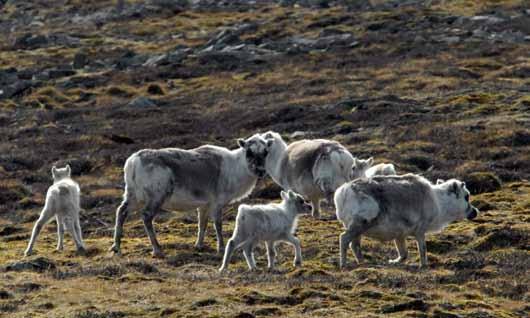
62, 201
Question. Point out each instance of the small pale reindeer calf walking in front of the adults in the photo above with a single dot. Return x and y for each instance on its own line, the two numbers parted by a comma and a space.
269, 223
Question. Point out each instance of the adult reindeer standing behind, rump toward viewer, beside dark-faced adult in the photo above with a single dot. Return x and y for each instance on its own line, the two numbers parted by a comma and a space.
312, 168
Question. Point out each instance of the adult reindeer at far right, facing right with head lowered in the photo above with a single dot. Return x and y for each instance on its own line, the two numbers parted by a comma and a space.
395, 207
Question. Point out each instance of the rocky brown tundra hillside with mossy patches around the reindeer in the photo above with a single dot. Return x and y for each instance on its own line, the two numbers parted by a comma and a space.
441, 88
